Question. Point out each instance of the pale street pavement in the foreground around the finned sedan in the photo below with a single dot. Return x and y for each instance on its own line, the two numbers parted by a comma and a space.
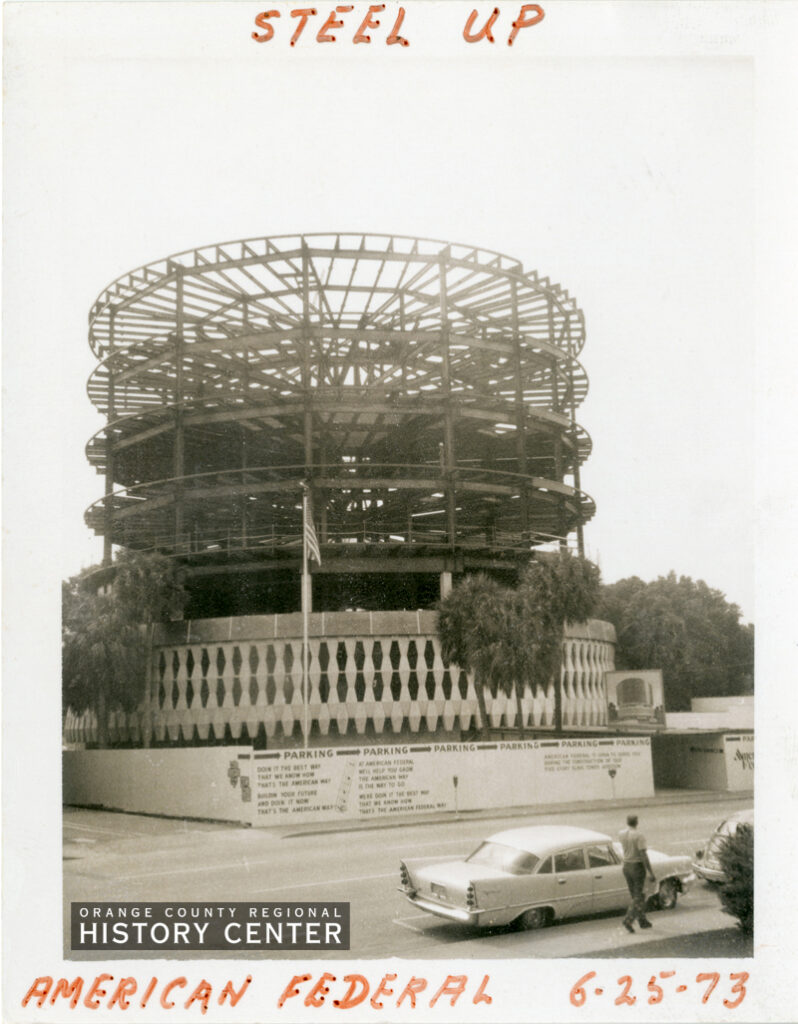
123, 858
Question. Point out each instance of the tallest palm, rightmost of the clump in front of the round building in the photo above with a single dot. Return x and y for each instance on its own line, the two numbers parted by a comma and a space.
556, 591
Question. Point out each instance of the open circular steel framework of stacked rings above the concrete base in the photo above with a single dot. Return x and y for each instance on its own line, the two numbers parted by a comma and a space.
428, 392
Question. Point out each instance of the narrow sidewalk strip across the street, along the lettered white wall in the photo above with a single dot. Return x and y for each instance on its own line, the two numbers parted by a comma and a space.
532, 810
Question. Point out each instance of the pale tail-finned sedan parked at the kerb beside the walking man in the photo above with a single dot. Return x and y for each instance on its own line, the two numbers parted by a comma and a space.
538, 875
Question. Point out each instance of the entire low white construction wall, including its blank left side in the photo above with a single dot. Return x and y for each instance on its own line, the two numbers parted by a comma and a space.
284, 788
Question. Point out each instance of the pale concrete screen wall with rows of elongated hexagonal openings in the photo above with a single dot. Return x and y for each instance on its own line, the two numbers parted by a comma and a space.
374, 677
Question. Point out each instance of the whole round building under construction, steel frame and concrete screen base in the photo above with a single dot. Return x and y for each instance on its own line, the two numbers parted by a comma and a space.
427, 394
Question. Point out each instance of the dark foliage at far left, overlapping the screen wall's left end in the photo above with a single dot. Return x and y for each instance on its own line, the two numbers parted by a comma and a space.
105, 642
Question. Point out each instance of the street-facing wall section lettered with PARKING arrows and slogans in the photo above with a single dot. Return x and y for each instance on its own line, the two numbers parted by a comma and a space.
371, 783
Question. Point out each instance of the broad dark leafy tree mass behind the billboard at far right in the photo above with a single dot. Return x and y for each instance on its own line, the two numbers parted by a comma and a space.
685, 628
